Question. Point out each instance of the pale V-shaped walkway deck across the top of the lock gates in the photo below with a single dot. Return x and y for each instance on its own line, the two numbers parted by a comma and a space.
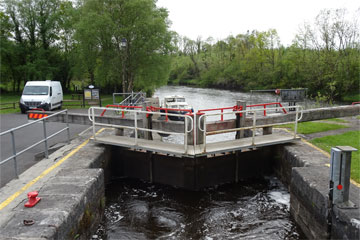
211, 148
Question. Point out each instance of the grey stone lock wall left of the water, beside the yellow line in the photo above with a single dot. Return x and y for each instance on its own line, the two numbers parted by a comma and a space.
72, 201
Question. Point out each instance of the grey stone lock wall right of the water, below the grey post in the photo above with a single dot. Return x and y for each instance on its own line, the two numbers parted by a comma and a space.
303, 169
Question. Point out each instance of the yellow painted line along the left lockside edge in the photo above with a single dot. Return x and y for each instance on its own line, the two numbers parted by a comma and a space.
44, 173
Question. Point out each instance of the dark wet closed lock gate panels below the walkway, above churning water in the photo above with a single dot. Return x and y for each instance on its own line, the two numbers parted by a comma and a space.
190, 173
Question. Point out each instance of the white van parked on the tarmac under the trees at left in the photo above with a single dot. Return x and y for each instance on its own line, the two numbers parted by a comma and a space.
41, 94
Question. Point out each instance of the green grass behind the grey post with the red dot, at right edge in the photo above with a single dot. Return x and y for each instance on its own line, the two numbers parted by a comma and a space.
352, 139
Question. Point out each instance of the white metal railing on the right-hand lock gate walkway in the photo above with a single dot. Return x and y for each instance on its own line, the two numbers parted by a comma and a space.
202, 119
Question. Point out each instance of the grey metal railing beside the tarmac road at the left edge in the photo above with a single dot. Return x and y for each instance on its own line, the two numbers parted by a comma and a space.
45, 140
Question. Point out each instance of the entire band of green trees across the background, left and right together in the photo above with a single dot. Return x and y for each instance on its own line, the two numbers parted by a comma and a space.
126, 45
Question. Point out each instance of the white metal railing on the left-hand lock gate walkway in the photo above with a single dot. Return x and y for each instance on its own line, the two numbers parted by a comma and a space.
188, 123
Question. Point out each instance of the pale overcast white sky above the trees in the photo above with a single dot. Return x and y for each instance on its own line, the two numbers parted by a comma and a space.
221, 18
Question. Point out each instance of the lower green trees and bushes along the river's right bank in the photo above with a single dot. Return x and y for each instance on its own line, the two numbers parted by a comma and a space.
324, 57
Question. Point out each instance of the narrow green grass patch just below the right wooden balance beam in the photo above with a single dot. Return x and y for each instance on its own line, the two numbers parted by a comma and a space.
313, 127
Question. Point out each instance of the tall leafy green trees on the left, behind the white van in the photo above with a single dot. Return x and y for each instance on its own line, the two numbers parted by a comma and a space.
120, 45
